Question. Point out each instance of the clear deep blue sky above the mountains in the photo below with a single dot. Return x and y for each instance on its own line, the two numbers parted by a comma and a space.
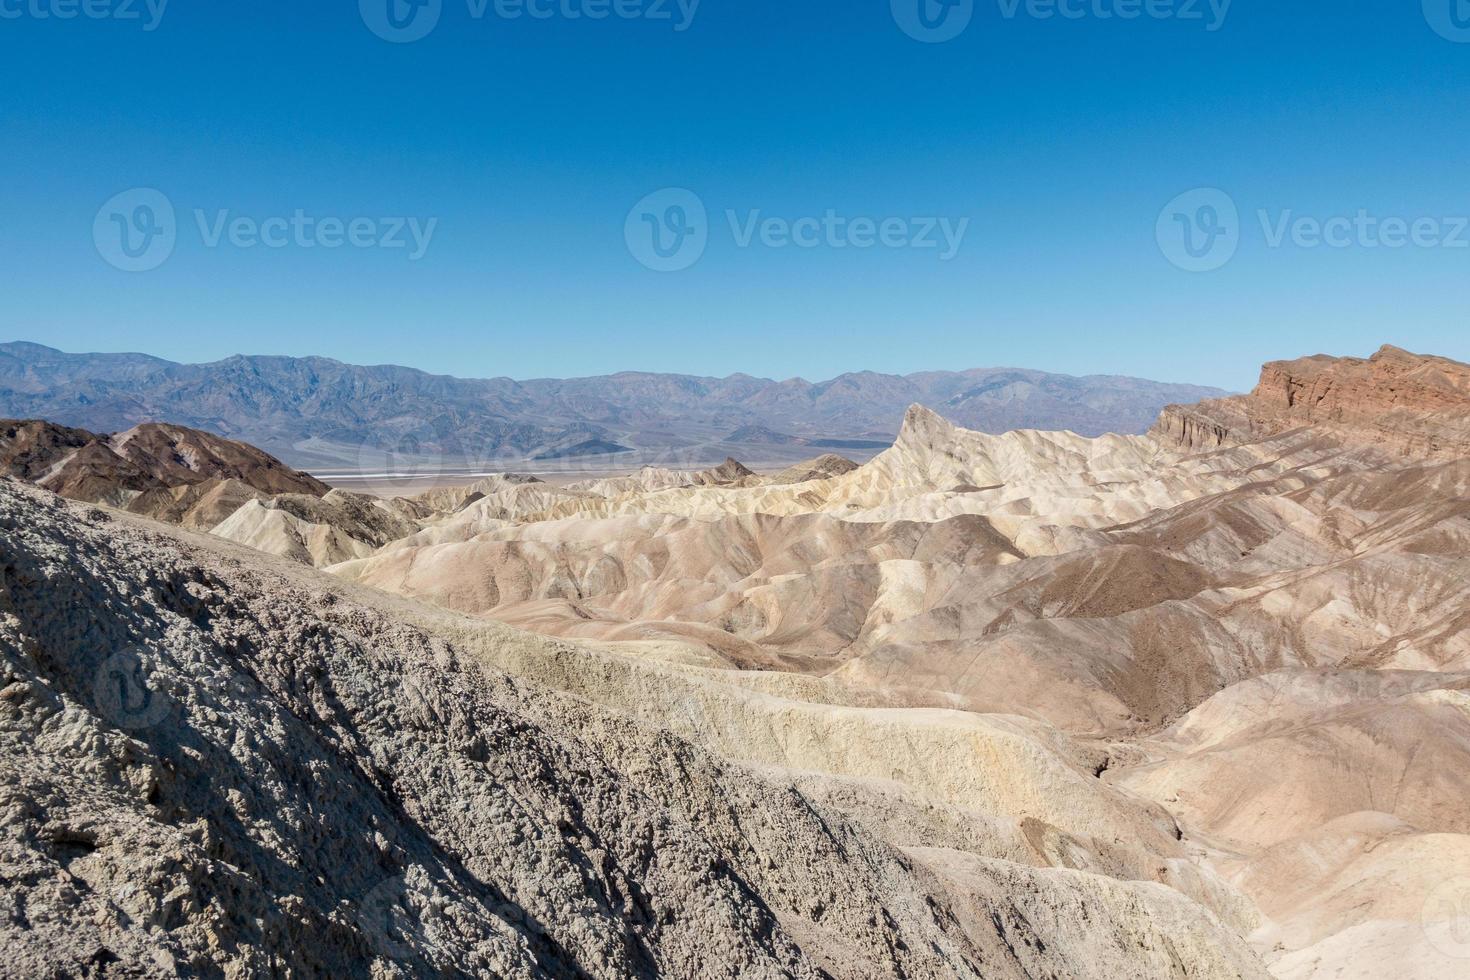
1059, 142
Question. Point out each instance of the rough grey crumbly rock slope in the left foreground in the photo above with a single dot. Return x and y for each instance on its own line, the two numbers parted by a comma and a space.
215, 765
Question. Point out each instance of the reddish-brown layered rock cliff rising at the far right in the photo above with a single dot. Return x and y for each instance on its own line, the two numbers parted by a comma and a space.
1405, 405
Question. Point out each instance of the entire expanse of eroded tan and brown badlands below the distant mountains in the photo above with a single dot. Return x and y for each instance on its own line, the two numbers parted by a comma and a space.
1183, 705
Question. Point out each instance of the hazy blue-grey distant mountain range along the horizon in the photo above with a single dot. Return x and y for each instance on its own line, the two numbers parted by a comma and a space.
314, 412
